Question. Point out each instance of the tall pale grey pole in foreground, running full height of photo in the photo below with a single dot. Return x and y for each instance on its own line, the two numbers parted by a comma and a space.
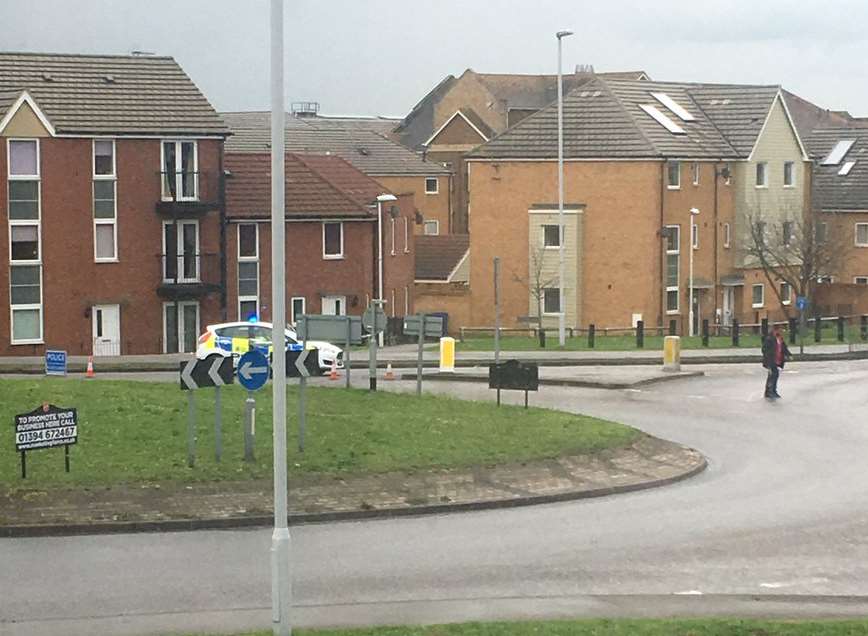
281, 594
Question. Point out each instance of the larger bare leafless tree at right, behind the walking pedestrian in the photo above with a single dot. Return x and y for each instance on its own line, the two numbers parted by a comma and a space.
798, 251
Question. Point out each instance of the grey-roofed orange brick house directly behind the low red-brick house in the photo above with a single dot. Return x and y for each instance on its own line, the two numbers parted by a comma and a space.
364, 143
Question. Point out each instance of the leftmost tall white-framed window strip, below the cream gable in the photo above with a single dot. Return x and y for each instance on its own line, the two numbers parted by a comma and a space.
37, 177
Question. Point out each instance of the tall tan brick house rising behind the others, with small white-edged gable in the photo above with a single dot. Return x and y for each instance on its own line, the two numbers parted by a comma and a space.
462, 113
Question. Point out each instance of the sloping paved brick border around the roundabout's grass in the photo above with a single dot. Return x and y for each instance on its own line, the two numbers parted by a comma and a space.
647, 463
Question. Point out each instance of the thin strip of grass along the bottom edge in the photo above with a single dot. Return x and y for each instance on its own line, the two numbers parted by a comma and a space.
619, 627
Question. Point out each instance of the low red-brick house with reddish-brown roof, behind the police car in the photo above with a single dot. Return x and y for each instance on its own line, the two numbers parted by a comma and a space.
332, 238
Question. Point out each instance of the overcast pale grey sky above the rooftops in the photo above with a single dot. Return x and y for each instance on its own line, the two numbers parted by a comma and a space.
382, 56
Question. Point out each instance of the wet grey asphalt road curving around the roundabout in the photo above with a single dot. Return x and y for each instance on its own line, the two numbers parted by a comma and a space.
776, 526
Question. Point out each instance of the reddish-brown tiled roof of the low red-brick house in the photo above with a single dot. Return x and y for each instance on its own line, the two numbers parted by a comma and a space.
316, 187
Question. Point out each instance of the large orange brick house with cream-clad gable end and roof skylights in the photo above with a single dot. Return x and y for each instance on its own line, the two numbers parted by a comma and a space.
638, 156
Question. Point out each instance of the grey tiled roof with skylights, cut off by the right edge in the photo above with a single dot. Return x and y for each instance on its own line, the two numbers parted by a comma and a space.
831, 191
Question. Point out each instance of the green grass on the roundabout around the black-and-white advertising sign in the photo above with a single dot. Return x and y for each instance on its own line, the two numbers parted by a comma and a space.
131, 432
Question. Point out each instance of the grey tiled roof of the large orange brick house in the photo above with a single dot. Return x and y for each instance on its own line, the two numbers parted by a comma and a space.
605, 119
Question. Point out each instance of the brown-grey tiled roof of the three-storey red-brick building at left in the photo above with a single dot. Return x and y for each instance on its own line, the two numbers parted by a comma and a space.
106, 94
